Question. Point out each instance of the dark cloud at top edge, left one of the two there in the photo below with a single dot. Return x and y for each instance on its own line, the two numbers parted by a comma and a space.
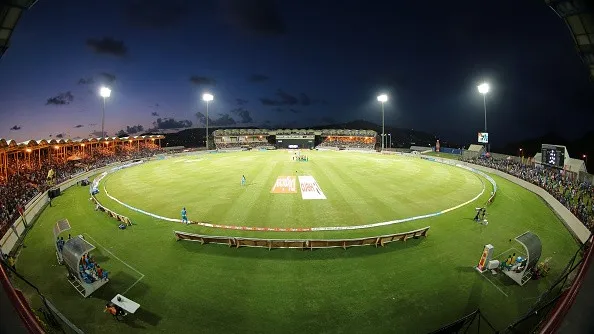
155, 14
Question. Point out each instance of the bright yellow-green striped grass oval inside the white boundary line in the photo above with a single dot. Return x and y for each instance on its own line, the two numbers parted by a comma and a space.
361, 188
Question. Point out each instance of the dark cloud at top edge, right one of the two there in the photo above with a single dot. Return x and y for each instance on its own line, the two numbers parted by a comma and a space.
259, 17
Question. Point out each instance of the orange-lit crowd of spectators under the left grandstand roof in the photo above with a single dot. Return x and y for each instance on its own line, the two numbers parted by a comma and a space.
28, 178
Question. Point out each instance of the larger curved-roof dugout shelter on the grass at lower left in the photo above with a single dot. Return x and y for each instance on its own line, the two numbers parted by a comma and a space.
72, 253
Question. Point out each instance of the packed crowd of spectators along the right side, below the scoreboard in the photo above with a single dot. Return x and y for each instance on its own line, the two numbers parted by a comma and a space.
576, 195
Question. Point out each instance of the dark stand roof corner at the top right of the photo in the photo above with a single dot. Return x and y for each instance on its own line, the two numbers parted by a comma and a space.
579, 17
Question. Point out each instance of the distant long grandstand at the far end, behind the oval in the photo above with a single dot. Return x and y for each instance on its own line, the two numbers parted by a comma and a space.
295, 138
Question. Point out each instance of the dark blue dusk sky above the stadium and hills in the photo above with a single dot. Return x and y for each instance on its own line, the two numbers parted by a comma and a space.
294, 64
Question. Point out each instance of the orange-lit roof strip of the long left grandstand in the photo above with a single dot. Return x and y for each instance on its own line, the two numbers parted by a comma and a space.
10, 144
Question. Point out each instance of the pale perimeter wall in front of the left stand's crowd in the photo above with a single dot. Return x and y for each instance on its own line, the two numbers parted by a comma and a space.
34, 208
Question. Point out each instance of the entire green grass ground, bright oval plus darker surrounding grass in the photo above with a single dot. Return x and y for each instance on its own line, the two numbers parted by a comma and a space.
187, 287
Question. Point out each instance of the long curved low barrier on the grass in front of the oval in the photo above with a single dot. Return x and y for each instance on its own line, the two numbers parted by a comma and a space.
237, 242
